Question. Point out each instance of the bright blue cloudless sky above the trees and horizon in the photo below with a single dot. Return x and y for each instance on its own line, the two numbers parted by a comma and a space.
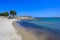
35, 8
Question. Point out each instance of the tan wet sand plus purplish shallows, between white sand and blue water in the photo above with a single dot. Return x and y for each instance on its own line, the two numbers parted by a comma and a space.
29, 34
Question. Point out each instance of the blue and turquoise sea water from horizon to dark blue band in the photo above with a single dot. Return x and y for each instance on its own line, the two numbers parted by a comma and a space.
50, 24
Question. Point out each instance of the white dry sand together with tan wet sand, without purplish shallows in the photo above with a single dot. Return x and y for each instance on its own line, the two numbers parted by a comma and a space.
10, 31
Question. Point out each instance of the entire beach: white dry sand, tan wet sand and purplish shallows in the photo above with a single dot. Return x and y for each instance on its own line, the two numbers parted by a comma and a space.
9, 30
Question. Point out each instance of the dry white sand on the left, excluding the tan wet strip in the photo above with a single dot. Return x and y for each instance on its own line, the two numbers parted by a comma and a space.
7, 31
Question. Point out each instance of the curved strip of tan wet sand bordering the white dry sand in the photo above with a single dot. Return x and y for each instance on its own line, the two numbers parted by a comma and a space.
23, 33
